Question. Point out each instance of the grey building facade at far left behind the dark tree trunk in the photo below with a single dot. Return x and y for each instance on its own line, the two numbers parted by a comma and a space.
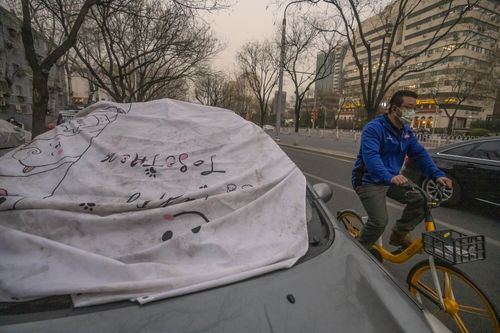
16, 76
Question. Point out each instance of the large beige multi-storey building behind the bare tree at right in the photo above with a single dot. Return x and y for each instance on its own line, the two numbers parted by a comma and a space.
461, 84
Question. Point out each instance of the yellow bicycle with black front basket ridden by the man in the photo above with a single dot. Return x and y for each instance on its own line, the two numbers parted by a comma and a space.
439, 286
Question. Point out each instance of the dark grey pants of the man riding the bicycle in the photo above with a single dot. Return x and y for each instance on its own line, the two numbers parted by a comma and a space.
373, 198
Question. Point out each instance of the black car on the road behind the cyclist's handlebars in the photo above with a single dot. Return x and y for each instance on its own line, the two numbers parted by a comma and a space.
473, 166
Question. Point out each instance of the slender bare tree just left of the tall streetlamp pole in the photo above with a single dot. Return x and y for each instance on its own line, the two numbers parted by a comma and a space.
256, 61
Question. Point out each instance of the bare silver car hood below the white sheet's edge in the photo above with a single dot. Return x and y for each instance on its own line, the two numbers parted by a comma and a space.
341, 290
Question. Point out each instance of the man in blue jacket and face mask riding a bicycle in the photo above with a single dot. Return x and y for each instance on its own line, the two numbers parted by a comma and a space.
385, 141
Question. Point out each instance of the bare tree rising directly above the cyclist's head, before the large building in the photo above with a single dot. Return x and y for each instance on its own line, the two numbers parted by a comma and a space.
381, 65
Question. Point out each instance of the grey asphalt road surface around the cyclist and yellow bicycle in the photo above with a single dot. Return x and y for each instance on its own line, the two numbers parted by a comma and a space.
469, 219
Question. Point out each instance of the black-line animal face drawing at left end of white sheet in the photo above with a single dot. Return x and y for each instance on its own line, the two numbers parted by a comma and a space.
43, 155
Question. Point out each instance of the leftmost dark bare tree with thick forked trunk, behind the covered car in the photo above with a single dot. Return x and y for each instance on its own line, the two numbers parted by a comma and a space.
68, 18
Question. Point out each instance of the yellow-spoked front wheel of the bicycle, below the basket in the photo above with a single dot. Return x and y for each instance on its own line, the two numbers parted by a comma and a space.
466, 307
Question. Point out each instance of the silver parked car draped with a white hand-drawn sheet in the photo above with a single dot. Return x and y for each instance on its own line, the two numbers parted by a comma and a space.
77, 228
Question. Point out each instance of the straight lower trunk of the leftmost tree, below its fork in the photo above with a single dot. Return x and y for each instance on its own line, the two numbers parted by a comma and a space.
40, 103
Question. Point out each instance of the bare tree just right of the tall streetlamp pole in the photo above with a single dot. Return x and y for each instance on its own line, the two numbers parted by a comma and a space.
303, 43
